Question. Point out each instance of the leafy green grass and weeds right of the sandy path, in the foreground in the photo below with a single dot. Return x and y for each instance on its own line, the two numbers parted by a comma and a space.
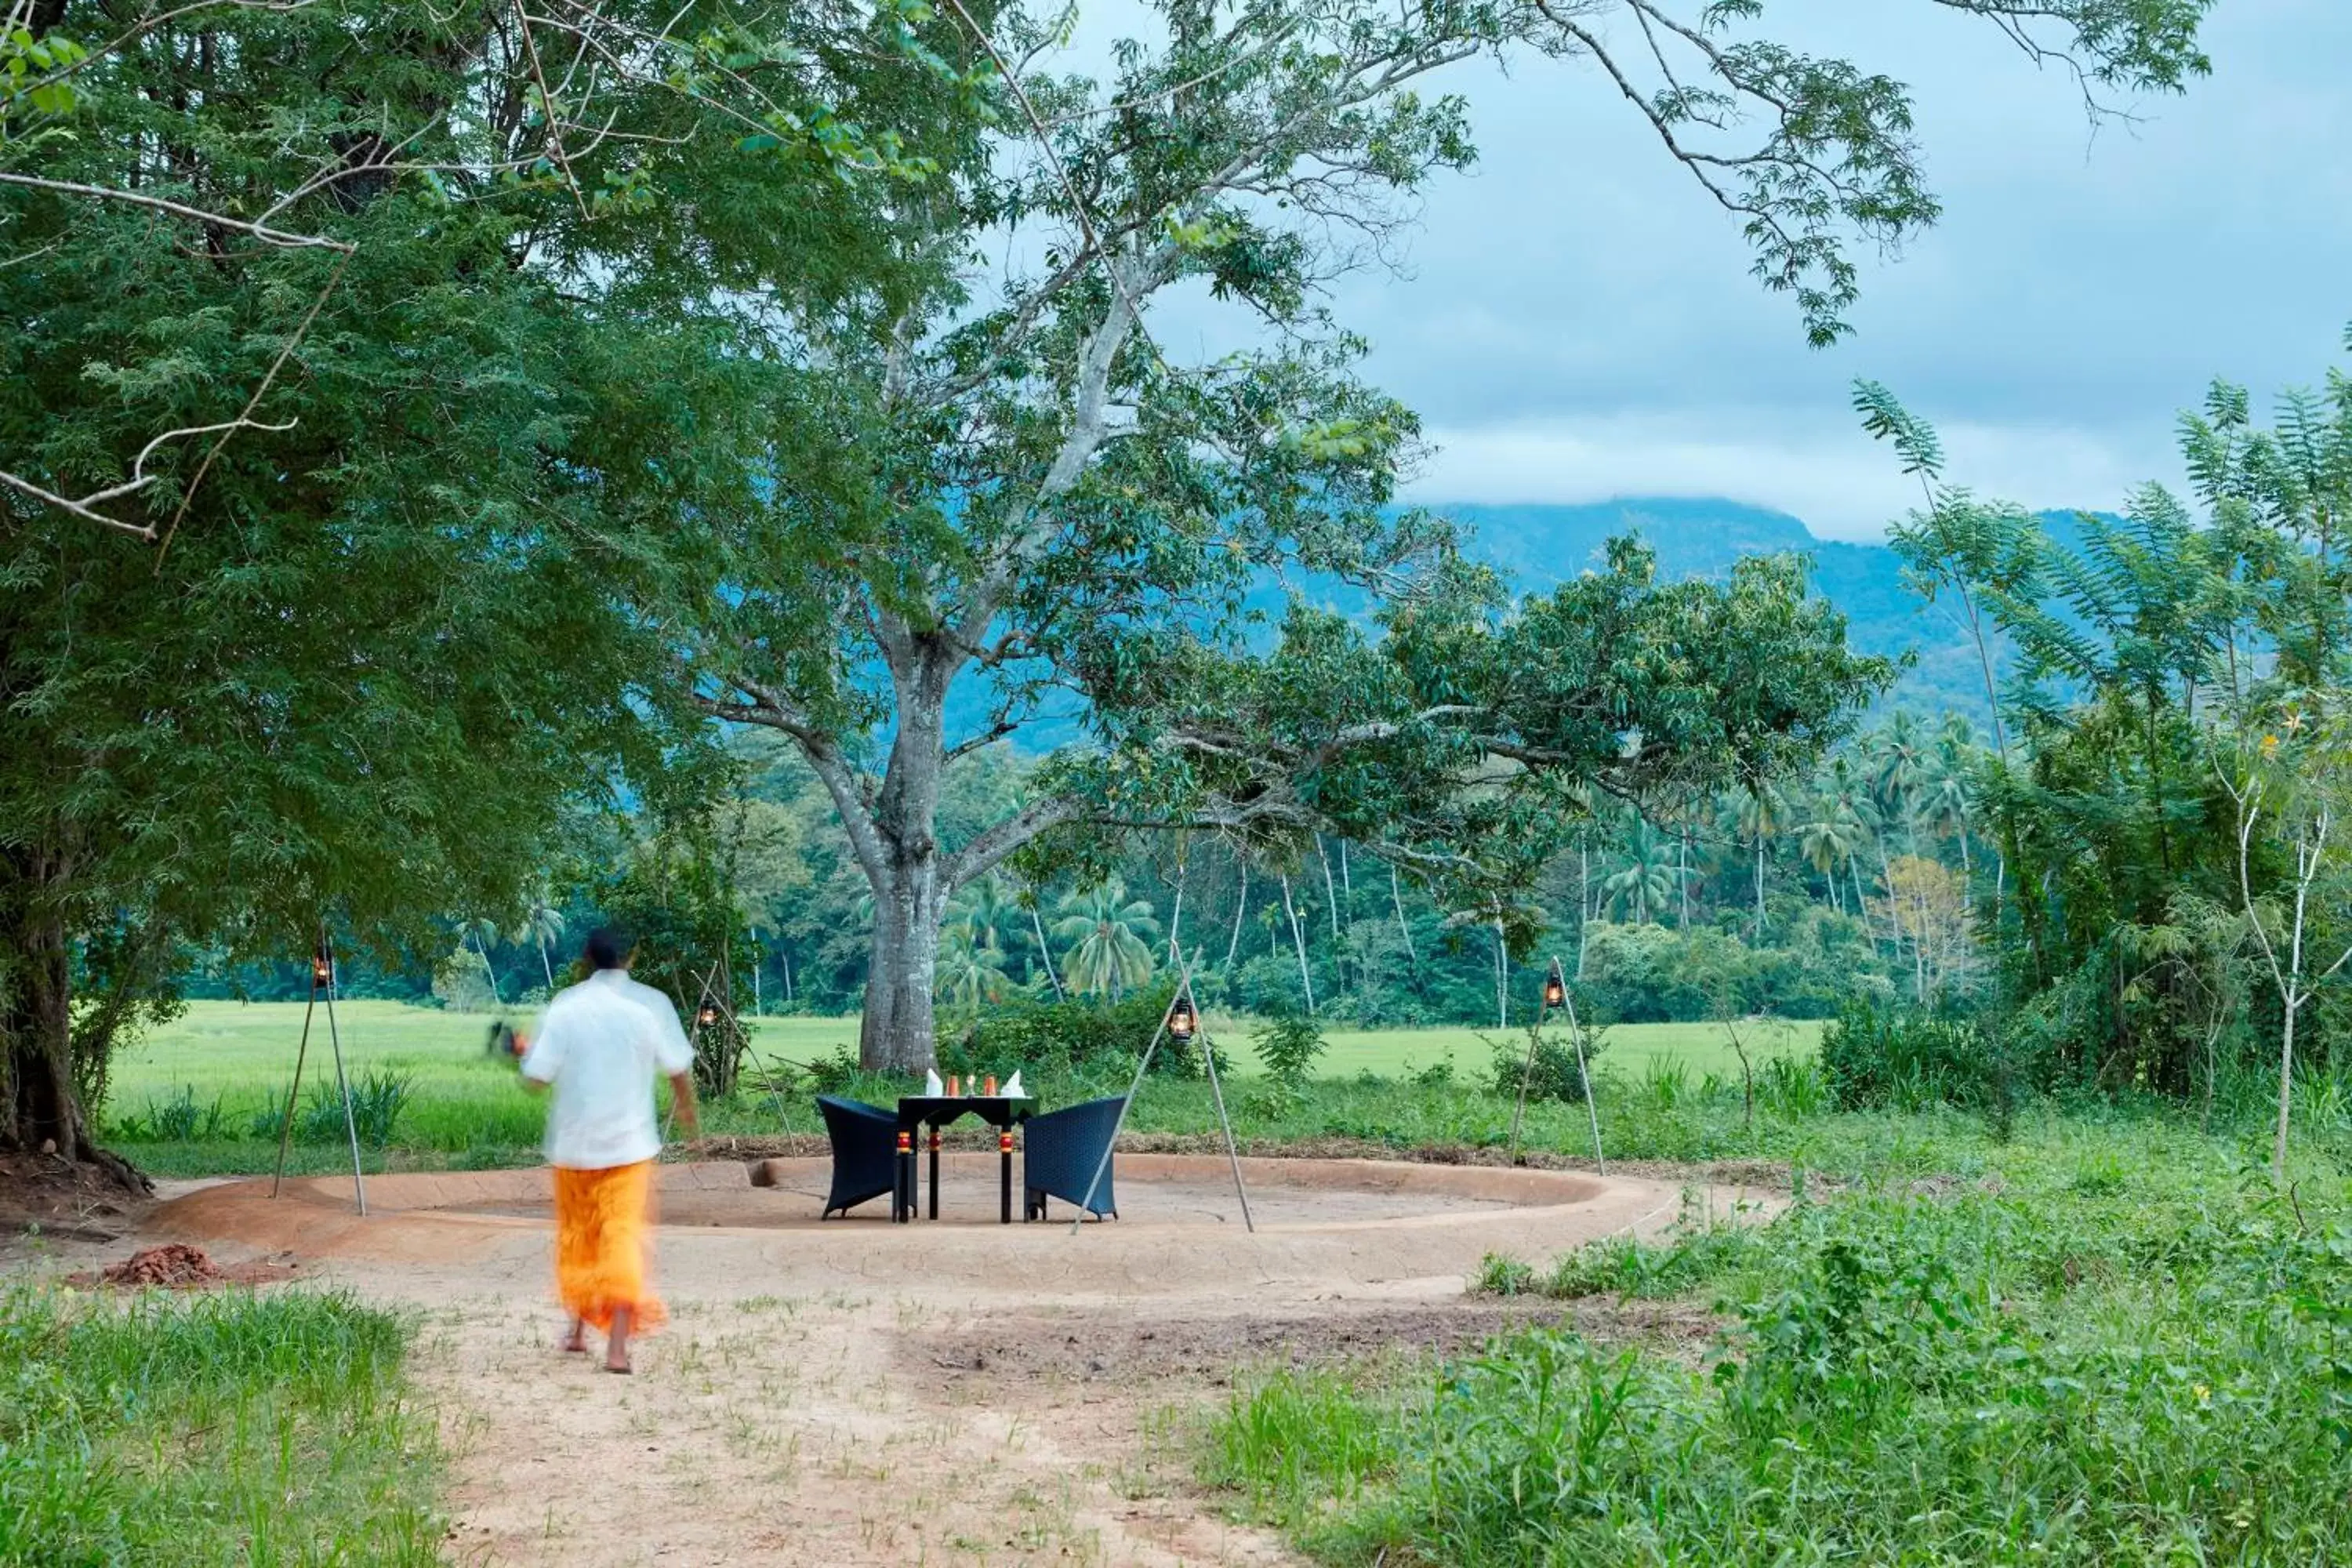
2106, 1341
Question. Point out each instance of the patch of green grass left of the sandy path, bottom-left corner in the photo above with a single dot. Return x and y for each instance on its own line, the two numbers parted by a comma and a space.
234, 1430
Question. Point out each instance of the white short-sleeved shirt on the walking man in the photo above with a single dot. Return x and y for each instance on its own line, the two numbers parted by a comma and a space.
601, 1043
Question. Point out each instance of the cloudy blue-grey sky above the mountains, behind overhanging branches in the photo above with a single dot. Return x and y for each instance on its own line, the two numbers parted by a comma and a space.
1579, 323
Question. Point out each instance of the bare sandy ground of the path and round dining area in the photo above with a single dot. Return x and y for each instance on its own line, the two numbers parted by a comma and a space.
862, 1393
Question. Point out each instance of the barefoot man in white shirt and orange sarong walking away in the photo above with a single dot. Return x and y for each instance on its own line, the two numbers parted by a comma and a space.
601, 1045
